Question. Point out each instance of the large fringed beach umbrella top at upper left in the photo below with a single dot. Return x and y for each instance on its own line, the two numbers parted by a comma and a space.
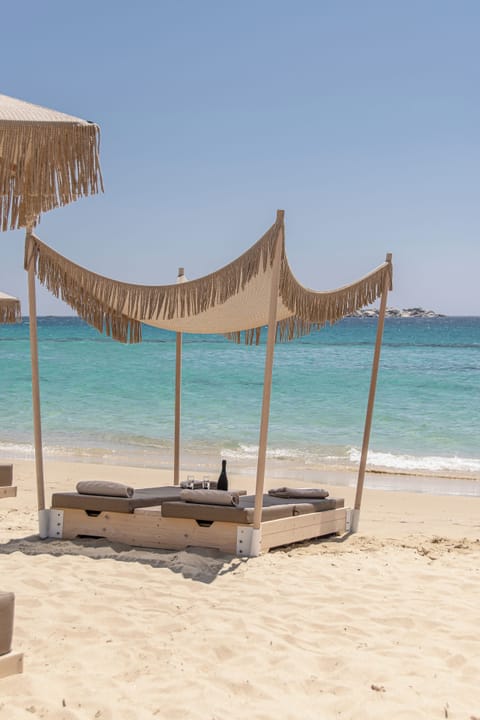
47, 159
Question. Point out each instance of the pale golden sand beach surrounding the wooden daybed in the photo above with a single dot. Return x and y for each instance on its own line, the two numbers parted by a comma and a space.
378, 624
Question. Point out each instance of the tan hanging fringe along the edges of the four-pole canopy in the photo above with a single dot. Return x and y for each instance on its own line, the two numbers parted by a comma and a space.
119, 308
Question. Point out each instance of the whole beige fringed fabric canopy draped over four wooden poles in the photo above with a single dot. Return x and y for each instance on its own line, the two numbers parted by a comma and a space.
230, 301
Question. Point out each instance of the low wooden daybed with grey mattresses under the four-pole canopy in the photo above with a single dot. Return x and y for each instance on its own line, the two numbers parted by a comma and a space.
159, 518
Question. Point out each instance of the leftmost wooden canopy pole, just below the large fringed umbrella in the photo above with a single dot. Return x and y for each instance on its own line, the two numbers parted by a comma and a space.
37, 425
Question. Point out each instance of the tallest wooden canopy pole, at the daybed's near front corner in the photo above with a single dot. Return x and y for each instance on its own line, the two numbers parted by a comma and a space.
267, 383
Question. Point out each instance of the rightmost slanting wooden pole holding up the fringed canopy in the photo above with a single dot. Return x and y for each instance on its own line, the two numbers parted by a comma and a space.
371, 401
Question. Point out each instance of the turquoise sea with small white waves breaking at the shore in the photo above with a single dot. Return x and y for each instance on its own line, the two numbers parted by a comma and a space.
107, 402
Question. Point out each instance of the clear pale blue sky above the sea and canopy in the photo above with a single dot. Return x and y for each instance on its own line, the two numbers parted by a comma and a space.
360, 118
